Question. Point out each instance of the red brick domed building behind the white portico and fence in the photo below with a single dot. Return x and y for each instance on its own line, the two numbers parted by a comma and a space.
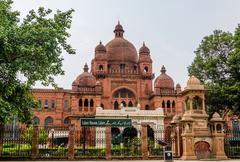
119, 75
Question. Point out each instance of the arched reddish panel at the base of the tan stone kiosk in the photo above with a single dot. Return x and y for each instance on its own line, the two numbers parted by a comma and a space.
202, 150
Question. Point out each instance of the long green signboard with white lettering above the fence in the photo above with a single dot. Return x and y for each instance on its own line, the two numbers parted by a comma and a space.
92, 122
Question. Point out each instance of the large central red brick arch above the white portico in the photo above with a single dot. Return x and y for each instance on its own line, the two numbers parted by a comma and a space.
123, 96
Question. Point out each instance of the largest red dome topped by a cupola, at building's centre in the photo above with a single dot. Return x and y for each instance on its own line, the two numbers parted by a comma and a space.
119, 49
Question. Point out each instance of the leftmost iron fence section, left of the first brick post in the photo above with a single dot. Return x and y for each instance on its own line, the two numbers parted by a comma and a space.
16, 141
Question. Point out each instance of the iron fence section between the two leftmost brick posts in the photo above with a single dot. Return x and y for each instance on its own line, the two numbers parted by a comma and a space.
53, 142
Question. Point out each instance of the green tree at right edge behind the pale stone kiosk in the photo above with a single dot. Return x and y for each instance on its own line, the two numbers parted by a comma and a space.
217, 64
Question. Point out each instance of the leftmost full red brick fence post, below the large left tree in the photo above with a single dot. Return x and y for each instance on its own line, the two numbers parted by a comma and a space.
35, 140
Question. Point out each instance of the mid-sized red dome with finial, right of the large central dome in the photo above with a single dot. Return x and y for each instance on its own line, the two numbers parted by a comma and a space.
163, 81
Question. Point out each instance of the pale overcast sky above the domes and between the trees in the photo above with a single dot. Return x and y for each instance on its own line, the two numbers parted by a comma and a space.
172, 29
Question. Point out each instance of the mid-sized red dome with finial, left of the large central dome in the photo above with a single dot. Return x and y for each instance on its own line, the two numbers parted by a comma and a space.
85, 79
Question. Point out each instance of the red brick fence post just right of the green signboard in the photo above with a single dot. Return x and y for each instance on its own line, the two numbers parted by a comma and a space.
144, 141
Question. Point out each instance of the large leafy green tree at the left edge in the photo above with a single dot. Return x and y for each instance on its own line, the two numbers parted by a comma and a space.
33, 49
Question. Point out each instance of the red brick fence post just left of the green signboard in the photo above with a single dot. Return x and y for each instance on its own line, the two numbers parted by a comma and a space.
71, 142
